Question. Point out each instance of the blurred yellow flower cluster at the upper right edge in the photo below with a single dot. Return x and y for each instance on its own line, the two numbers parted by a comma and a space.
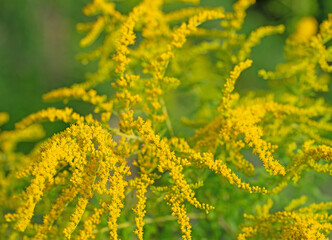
306, 51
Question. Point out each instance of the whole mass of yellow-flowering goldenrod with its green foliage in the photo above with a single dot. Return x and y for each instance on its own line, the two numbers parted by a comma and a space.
125, 172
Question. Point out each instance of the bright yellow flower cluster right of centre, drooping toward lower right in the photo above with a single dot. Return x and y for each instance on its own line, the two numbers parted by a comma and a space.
241, 121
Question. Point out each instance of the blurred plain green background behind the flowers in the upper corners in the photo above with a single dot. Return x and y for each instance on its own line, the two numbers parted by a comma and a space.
39, 42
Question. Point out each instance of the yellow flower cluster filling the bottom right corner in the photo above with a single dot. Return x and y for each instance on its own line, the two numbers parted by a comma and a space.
310, 222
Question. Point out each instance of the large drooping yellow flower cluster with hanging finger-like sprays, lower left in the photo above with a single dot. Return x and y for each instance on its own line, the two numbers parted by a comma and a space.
72, 147
